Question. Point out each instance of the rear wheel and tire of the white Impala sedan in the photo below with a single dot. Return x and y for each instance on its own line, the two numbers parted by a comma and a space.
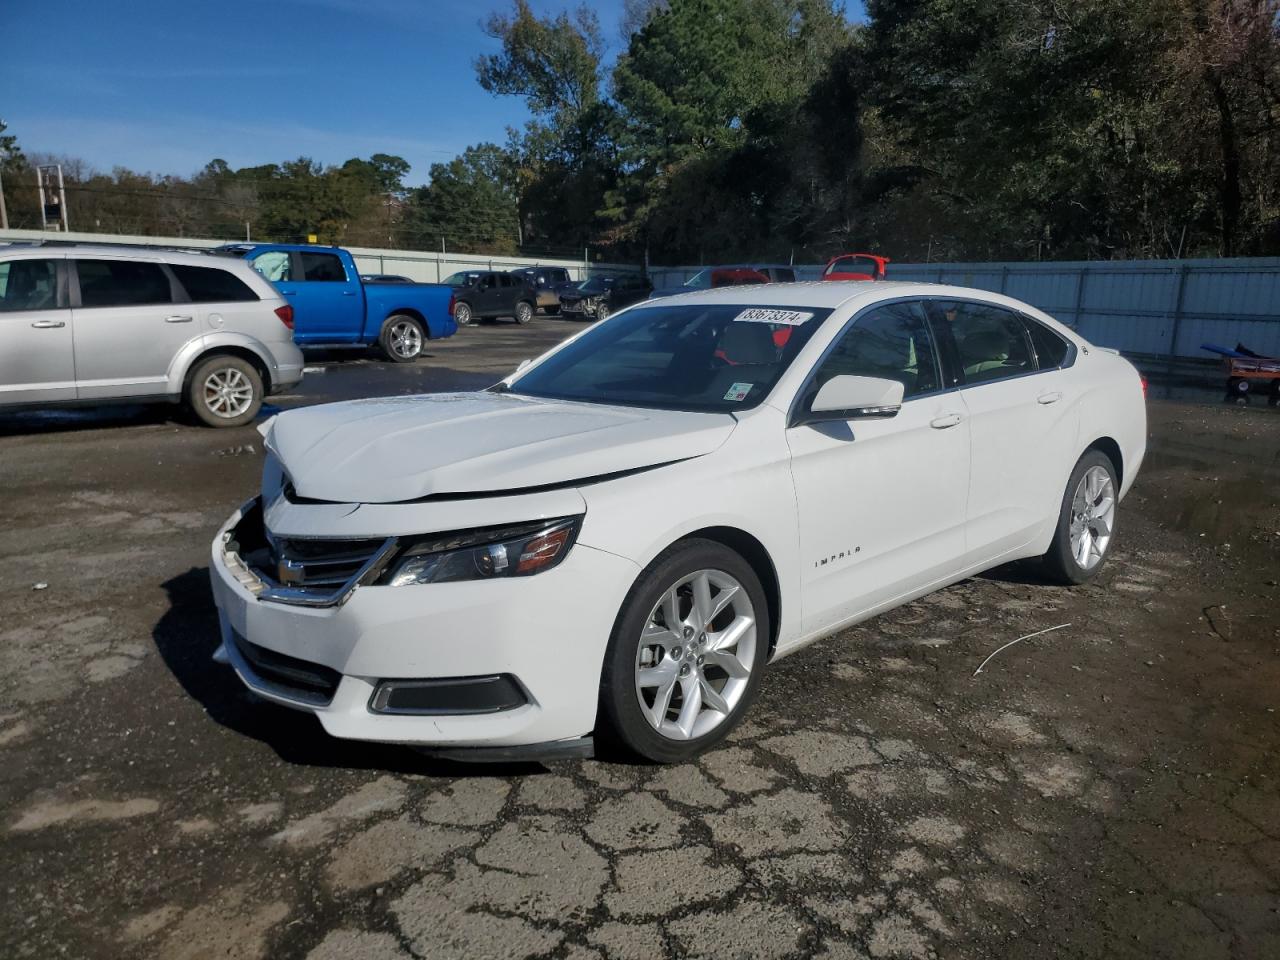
1081, 522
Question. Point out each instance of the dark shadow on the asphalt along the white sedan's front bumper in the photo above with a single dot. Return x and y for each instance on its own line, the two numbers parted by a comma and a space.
186, 637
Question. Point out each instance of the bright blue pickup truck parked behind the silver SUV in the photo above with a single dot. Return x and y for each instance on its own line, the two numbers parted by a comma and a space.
332, 307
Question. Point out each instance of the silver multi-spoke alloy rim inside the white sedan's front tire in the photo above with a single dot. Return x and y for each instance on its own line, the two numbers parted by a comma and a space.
696, 655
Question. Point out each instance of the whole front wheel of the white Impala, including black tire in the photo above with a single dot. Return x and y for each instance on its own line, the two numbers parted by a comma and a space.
687, 664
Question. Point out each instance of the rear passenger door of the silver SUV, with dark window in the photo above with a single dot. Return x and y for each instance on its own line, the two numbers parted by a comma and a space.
130, 323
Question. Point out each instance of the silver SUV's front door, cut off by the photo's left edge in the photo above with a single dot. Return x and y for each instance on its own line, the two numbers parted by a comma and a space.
36, 356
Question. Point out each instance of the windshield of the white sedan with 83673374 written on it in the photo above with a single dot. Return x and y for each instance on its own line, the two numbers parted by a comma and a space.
701, 358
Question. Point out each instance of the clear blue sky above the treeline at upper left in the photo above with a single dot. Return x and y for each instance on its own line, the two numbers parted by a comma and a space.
166, 88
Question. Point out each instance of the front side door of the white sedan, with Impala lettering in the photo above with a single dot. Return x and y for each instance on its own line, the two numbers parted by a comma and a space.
881, 502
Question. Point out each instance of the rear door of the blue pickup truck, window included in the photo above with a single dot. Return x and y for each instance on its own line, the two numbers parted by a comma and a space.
328, 303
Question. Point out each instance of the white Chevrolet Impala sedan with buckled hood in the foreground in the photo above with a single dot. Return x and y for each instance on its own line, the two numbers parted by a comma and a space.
624, 533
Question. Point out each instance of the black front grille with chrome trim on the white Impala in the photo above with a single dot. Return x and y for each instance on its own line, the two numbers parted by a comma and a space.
307, 572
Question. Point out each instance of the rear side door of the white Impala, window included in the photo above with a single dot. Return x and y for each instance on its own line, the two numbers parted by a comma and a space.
1023, 424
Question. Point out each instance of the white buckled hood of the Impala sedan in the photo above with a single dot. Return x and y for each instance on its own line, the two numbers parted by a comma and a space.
408, 449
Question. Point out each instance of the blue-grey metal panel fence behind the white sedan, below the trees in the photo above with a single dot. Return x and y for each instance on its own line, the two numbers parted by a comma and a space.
1160, 308
